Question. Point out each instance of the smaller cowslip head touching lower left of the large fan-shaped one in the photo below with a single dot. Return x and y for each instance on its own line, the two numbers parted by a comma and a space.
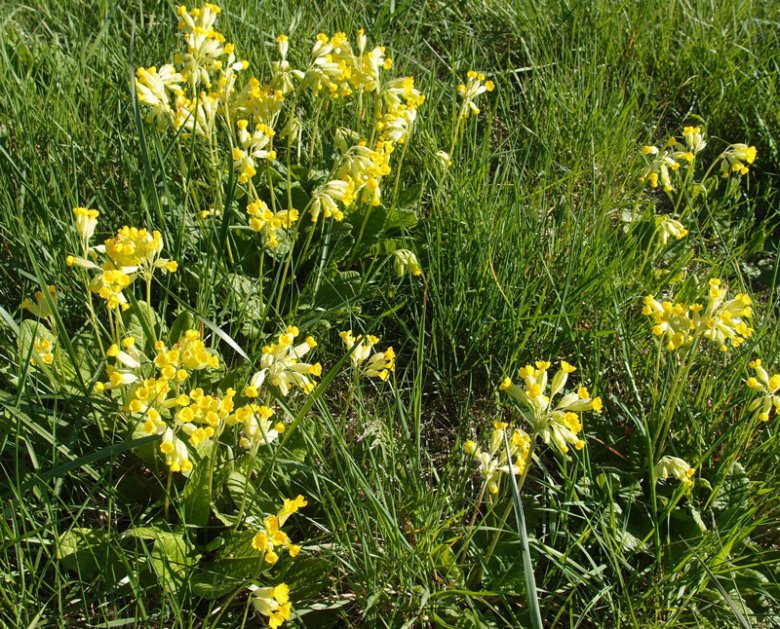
494, 462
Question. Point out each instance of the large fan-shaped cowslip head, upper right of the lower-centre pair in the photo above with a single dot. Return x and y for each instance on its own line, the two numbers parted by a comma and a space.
557, 423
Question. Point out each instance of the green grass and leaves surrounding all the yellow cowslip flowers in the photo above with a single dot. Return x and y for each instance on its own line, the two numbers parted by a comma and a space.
532, 246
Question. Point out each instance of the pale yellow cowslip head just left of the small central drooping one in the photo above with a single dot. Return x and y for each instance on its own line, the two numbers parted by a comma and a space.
282, 368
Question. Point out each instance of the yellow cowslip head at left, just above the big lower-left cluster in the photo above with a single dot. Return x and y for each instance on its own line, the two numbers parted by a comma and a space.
130, 253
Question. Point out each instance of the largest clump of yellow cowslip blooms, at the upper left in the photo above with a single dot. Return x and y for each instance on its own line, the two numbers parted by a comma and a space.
204, 92
